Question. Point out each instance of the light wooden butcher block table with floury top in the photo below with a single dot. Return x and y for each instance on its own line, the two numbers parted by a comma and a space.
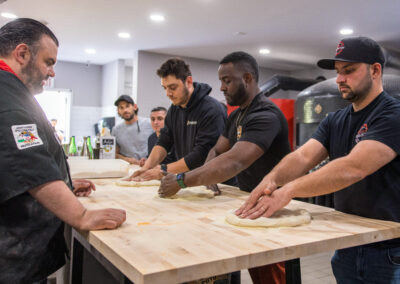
174, 241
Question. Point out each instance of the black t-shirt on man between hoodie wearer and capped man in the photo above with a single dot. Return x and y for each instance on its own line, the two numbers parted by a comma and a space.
263, 124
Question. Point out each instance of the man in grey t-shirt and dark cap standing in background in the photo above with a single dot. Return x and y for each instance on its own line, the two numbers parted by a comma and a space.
132, 134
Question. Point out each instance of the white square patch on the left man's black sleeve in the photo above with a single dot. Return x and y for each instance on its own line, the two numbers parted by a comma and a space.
26, 136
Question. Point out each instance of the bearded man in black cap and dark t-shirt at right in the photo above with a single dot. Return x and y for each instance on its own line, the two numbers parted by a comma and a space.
363, 143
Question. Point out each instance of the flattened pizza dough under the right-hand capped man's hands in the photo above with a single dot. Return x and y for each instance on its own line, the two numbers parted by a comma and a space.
281, 218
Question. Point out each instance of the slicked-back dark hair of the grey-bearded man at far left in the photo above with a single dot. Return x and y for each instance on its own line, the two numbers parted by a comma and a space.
23, 30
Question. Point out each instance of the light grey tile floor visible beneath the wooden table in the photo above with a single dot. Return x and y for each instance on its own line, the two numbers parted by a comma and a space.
315, 269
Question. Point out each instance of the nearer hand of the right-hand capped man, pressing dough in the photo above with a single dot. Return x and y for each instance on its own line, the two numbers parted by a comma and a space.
268, 204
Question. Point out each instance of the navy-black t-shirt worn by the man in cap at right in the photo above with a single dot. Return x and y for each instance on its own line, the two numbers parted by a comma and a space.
377, 195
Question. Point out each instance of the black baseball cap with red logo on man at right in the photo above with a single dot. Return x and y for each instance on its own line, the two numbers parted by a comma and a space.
355, 49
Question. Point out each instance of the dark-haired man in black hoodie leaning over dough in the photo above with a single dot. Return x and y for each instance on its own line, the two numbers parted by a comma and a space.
192, 125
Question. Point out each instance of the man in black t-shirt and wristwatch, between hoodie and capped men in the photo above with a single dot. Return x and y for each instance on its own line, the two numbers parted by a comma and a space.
254, 141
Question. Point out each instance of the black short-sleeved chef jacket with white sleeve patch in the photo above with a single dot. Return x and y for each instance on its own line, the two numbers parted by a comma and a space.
32, 245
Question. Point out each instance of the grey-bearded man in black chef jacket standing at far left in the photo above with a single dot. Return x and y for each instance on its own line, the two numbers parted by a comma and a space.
35, 185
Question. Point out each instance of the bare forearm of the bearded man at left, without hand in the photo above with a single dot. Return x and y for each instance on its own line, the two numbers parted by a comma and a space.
60, 200
